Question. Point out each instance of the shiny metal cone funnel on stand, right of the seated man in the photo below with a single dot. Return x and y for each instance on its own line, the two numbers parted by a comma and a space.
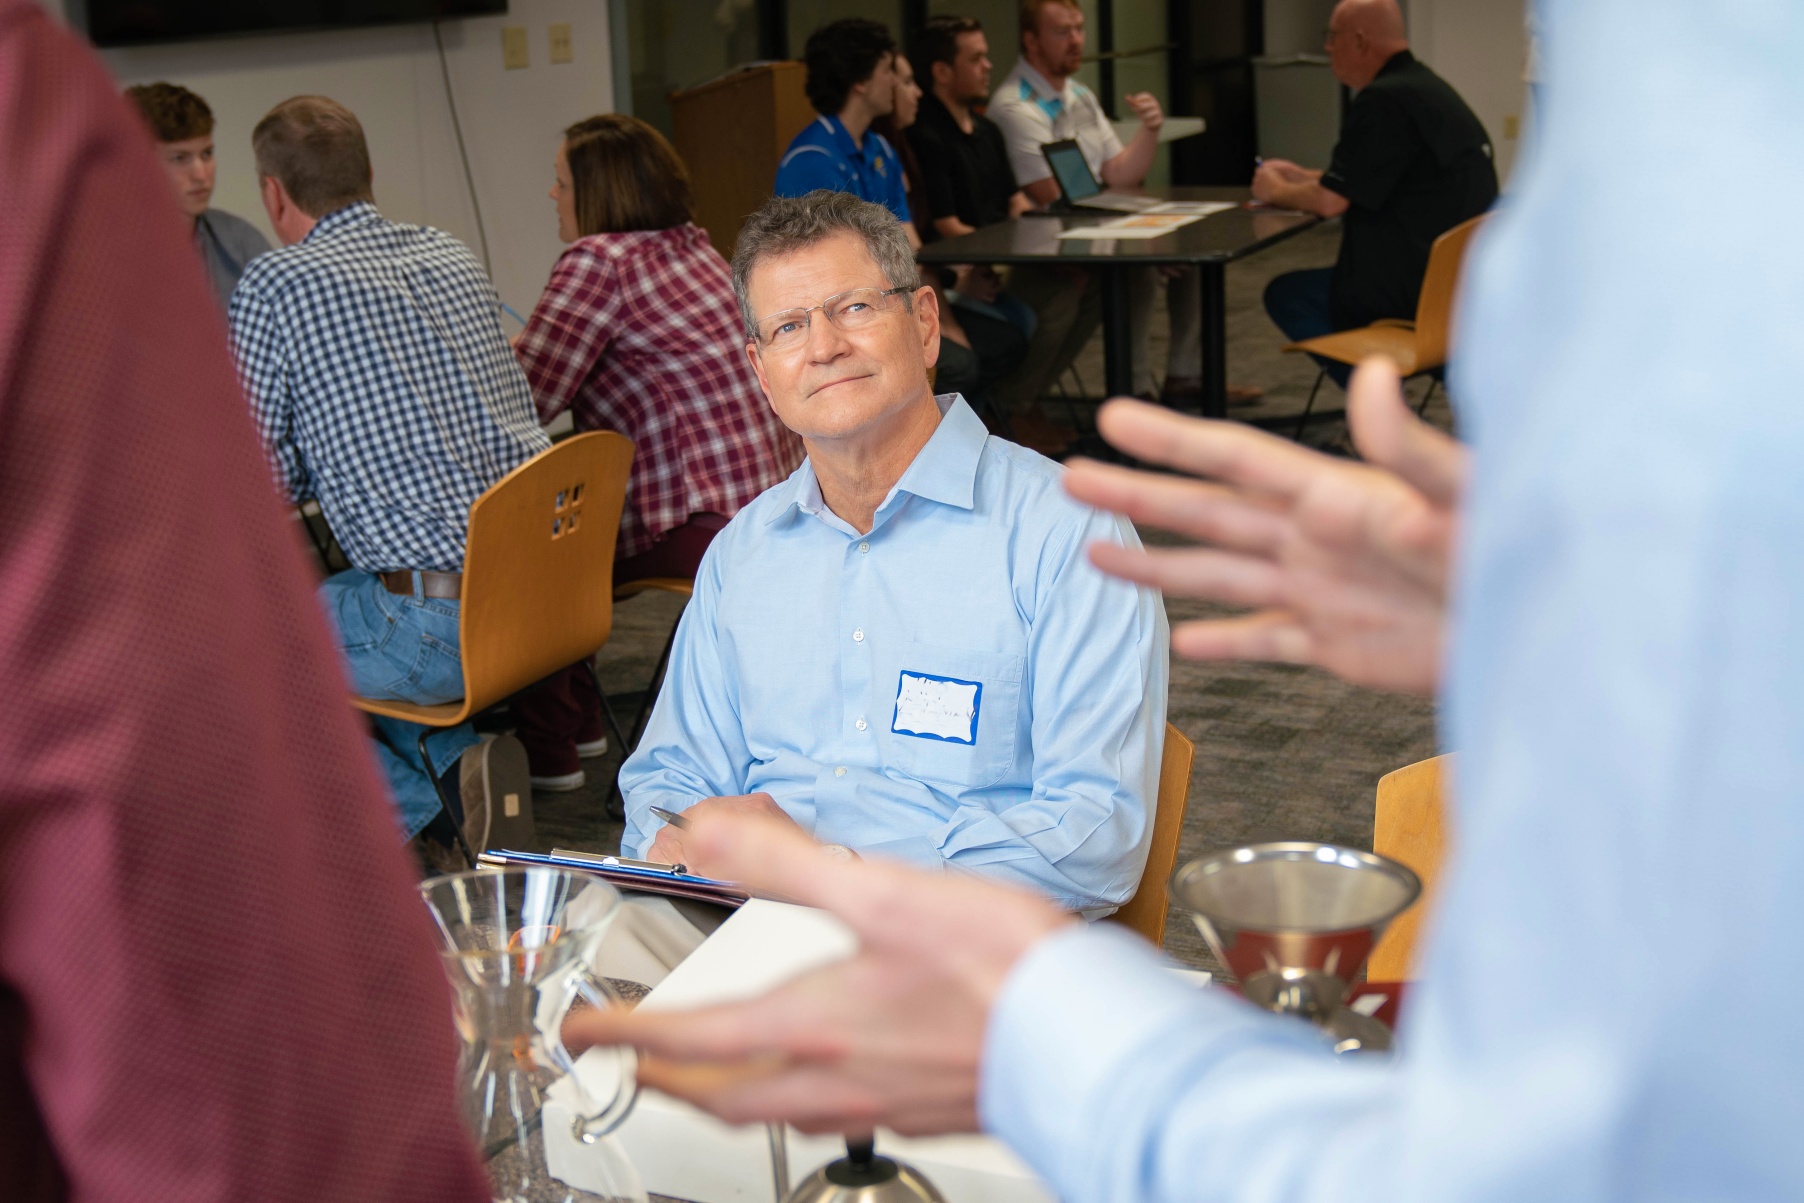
1296, 924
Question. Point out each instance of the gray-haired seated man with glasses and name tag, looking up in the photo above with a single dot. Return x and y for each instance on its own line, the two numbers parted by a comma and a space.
905, 648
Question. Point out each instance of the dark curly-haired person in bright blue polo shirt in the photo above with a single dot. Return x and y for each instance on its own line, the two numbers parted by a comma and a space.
851, 84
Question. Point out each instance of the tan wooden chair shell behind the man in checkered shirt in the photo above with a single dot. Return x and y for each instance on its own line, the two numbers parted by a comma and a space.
538, 574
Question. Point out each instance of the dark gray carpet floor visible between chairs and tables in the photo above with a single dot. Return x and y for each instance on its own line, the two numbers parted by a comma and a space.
1282, 751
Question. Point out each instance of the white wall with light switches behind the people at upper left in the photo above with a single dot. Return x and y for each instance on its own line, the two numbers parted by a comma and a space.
391, 78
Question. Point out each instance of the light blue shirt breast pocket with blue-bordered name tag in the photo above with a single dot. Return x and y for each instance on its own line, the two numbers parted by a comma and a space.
953, 713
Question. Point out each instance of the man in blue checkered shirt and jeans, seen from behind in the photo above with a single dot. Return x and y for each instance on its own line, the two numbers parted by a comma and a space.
383, 390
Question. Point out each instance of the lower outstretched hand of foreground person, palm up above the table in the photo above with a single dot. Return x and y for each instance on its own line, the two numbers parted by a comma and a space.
892, 1036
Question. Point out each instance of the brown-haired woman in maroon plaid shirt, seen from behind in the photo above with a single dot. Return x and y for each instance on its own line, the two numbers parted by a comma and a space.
640, 333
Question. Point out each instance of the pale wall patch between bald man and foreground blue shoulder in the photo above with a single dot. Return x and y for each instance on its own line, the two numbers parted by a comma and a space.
1480, 48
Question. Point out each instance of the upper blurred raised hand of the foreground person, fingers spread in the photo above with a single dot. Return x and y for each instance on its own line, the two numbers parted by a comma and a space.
1345, 565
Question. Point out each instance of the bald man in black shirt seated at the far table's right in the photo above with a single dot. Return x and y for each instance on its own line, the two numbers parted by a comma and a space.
1412, 163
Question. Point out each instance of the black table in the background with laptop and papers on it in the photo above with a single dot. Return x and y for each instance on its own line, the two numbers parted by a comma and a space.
1208, 246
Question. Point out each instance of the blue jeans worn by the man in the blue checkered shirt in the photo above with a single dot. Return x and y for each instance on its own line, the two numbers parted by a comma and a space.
405, 650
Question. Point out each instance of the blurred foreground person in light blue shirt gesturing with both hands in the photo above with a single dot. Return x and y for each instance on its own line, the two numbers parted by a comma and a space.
1608, 998
